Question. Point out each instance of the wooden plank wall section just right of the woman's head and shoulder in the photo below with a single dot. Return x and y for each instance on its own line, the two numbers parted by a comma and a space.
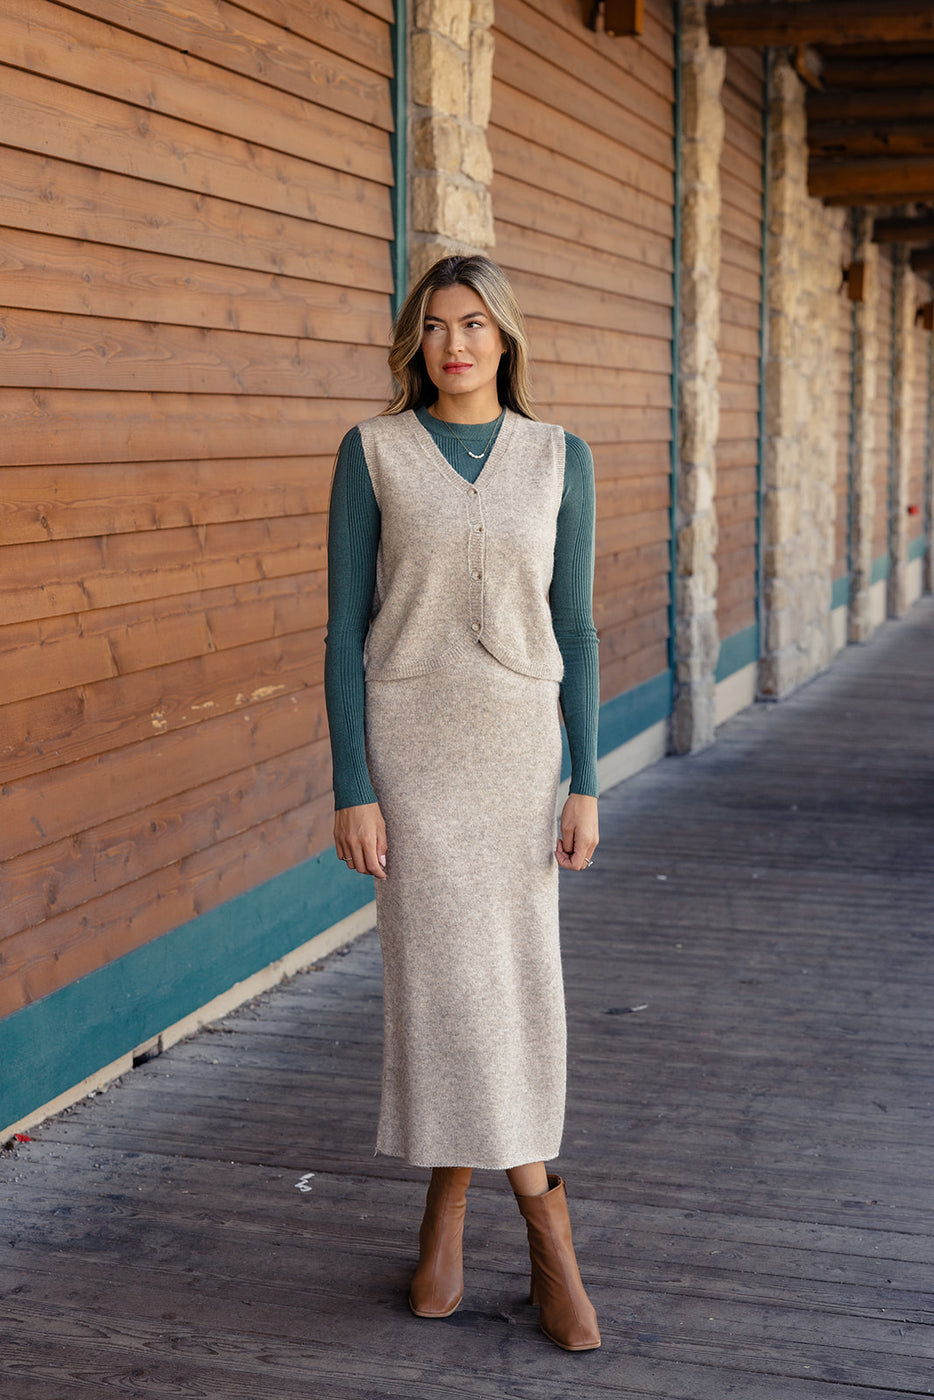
583, 149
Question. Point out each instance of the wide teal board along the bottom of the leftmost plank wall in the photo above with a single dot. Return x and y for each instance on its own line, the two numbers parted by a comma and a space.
55, 1044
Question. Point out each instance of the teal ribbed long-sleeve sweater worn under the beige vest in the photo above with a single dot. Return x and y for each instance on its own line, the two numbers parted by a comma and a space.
354, 541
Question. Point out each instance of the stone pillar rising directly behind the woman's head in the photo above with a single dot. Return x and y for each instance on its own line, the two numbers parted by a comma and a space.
452, 51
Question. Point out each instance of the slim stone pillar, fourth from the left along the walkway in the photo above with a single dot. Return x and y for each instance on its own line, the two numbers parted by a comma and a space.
865, 380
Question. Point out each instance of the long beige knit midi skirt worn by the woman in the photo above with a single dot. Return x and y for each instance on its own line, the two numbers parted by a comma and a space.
466, 764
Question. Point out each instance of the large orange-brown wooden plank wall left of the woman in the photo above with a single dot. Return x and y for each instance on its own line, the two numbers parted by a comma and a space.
197, 278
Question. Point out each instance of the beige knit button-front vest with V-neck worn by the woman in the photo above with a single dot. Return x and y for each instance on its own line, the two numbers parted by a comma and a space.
463, 565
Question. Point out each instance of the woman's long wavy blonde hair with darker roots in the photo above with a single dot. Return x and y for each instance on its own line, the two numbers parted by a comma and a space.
415, 388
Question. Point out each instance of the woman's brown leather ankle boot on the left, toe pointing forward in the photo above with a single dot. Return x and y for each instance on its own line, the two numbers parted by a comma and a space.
438, 1287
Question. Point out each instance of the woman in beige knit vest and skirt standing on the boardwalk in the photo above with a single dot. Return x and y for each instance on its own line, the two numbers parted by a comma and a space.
461, 555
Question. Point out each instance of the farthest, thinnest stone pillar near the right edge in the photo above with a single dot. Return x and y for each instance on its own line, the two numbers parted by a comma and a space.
904, 380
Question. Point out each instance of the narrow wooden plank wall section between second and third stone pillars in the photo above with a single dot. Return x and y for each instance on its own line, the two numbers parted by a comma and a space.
740, 346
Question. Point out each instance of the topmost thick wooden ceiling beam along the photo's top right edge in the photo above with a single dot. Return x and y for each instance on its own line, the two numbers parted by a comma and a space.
821, 22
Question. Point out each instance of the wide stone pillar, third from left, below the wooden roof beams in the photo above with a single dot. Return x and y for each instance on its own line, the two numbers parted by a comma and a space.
804, 248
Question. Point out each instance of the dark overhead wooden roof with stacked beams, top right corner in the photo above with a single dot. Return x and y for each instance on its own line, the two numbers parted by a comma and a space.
870, 68
